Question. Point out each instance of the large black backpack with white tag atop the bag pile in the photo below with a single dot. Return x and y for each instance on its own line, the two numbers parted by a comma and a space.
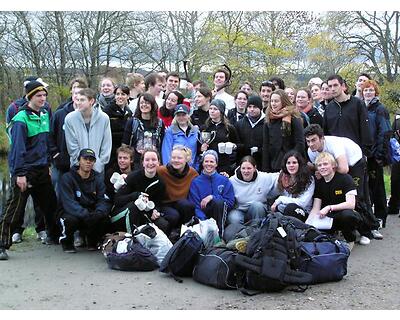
271, 255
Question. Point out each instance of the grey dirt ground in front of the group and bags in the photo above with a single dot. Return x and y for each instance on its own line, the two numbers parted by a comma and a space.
43, 277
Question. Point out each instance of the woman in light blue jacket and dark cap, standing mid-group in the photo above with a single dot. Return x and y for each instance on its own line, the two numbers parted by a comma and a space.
181, 132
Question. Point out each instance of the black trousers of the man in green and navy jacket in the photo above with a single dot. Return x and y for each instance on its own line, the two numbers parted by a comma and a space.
42, 193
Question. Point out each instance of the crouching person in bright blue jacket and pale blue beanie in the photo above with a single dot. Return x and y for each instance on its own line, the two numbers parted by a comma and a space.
212, 193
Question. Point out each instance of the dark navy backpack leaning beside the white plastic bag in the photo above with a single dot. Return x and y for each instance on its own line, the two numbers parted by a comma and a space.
181, 258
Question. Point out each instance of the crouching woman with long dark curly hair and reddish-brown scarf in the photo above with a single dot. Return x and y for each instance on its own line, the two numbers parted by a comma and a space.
296, 186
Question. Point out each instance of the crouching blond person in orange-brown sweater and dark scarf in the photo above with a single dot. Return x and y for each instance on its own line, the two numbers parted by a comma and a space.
177, 176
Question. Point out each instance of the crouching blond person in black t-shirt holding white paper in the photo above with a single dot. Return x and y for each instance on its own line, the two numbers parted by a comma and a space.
335, 197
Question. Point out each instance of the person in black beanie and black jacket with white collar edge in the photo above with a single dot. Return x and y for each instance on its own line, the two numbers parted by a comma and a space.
250, 131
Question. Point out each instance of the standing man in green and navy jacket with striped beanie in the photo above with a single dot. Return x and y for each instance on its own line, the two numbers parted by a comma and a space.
29, 166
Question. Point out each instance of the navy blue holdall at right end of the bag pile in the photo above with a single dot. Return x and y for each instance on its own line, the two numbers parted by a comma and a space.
325, 258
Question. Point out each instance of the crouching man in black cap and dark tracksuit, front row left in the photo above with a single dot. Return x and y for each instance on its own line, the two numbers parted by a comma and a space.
84, 204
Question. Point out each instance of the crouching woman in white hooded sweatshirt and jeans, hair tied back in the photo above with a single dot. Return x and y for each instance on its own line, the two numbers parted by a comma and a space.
252, 189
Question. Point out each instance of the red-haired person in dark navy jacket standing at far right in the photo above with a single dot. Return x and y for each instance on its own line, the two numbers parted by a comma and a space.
380, 128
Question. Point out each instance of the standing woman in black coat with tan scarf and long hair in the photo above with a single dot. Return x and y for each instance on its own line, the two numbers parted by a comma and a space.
283, 131
